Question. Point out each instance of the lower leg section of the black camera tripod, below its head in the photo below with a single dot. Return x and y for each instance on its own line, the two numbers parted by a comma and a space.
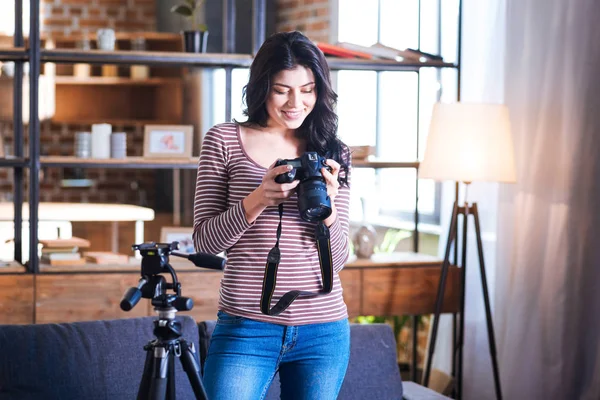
158, 378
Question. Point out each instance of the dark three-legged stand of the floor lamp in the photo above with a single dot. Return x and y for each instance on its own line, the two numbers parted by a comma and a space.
464, 210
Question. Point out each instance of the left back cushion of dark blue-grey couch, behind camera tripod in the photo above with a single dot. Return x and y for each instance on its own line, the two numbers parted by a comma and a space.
81, 360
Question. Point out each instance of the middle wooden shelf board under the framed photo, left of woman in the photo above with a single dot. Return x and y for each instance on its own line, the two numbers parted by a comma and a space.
129, 162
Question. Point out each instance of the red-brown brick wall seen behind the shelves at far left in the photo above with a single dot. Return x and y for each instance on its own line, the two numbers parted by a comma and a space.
69, 17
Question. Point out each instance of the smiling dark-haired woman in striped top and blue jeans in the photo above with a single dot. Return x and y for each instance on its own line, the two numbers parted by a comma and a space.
290, 106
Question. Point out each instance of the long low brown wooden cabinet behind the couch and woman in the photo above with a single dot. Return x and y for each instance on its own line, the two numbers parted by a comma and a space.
400, 284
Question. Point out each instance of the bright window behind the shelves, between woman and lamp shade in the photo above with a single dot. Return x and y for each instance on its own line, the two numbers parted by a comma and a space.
391, 110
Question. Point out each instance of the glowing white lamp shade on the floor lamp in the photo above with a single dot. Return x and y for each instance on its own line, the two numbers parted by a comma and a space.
469, 142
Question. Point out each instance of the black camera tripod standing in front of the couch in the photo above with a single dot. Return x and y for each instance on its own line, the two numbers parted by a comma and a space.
158, 378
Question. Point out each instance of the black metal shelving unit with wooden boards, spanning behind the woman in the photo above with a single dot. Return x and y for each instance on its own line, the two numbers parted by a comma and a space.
227, 60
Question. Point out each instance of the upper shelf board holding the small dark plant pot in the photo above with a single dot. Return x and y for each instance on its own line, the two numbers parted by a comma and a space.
215, 60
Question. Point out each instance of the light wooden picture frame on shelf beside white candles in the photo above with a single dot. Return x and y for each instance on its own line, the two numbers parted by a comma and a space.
168, 141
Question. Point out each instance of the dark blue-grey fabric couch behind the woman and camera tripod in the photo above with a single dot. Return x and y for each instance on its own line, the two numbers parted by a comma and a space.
104, 360
